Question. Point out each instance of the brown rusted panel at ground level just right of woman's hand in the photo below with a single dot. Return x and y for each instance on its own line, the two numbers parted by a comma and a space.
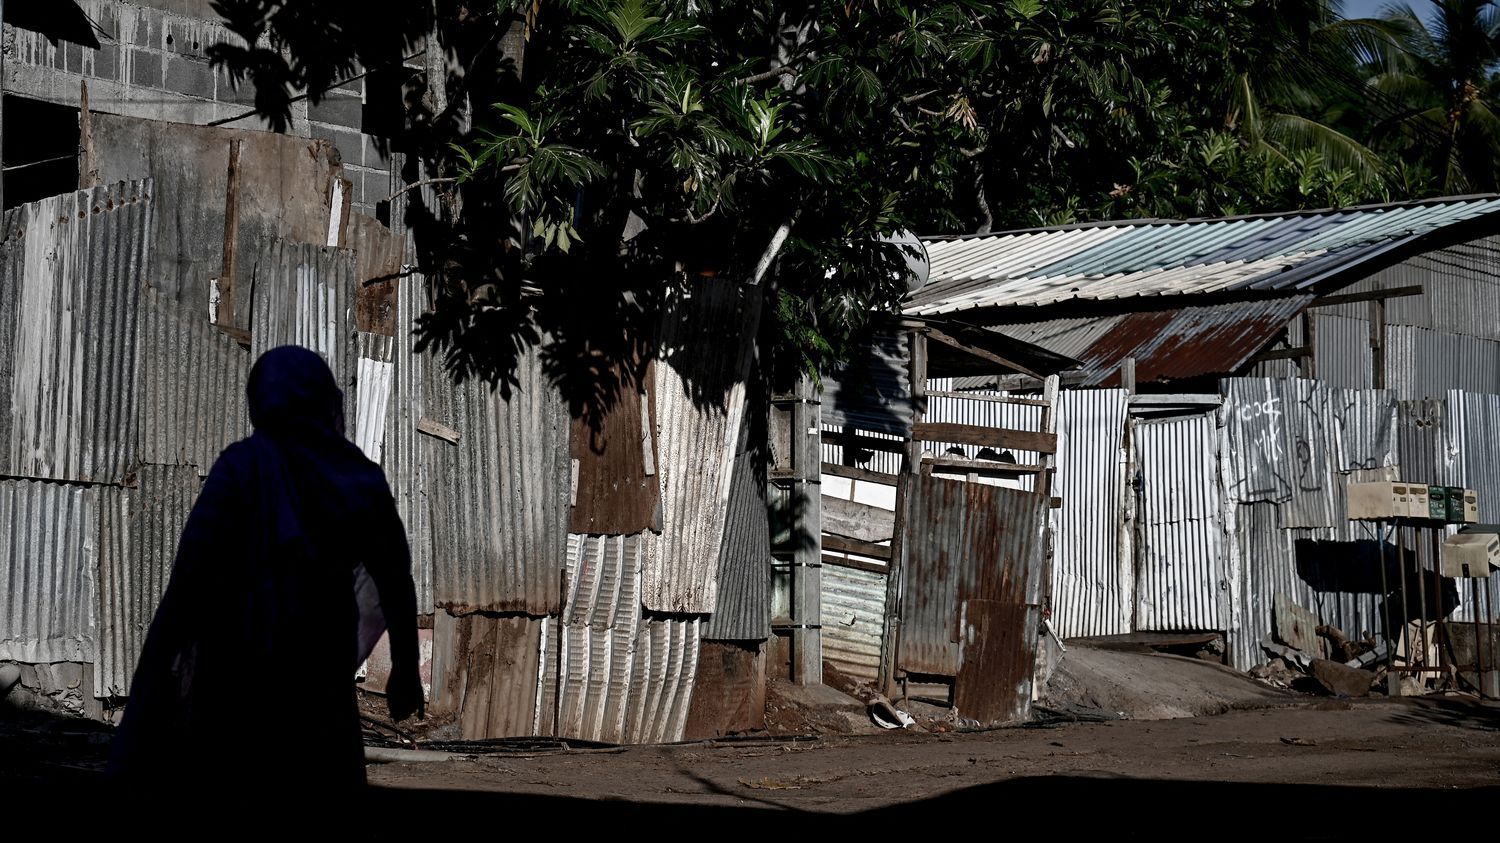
485, 673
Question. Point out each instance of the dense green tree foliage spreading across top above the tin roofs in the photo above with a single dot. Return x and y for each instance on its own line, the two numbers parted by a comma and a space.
607, 149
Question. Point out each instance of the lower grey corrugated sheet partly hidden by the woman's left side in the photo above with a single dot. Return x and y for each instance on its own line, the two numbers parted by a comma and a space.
139, 536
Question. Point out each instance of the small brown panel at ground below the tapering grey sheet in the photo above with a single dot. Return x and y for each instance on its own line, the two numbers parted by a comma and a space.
730, 694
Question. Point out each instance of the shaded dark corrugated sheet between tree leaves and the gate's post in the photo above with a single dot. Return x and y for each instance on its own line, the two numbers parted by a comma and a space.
878, 395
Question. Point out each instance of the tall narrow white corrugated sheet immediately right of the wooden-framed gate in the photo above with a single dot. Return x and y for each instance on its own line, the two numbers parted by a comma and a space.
1093, 562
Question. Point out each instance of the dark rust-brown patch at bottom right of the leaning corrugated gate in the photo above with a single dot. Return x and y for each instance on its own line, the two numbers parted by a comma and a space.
994, 685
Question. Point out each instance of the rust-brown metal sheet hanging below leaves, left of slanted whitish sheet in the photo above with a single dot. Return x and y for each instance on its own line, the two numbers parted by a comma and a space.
616, 449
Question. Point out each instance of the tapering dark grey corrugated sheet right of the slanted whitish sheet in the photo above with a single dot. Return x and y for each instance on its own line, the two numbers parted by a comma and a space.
743, 610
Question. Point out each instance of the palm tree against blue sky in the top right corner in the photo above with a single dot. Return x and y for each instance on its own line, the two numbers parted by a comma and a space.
1447, 85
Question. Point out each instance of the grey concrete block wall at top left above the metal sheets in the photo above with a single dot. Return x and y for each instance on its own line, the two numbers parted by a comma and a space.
154, 64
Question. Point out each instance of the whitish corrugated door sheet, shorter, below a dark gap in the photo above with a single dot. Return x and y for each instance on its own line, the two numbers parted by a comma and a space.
1184, 581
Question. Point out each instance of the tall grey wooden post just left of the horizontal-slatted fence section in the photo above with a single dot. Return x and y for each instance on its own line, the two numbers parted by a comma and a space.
808, 559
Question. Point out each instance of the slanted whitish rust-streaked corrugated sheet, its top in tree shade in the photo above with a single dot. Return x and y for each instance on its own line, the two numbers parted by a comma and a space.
707, 343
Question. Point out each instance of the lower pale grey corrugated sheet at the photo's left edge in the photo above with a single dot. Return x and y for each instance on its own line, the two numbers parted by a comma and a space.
49, 560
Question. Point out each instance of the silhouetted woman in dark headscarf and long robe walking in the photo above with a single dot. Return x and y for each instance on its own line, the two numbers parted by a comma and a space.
247, 679
